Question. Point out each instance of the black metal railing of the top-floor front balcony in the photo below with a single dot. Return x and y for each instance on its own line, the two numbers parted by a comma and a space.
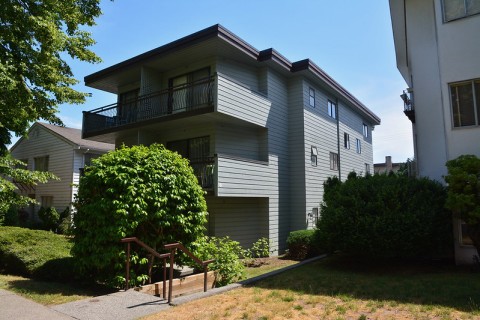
183, 98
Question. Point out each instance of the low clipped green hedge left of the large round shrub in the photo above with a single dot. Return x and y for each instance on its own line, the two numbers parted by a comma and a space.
32, 253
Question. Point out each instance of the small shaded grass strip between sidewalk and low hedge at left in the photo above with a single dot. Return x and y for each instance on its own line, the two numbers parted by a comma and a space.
49, 293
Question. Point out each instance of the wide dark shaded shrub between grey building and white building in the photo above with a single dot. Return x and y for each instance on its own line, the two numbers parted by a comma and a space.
385, 216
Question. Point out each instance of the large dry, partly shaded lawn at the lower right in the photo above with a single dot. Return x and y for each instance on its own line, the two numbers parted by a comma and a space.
343, 288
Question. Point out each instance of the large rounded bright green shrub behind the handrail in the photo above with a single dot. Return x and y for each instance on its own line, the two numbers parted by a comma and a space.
146, 192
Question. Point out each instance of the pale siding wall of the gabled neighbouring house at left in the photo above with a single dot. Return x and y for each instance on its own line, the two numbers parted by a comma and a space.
60, 163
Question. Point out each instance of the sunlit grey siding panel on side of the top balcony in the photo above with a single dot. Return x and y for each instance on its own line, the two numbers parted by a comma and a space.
238, 101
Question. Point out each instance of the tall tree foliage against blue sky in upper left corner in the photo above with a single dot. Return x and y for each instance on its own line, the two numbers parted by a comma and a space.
35, 36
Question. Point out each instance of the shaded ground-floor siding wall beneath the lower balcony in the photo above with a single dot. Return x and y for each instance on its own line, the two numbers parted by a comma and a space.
242, 219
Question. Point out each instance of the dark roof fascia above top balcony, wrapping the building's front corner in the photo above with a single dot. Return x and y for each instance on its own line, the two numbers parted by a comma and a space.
194, 38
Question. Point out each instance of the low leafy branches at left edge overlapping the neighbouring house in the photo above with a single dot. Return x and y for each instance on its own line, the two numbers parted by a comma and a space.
12, 173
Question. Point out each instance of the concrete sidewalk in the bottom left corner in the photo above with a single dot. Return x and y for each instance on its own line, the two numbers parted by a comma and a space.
13, 306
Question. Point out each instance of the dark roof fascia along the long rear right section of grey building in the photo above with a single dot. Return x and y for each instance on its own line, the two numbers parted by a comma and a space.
307, 64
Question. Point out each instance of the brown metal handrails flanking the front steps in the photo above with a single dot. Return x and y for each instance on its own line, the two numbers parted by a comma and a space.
172, 247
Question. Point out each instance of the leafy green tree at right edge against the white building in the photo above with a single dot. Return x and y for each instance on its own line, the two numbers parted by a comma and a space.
464, 193
